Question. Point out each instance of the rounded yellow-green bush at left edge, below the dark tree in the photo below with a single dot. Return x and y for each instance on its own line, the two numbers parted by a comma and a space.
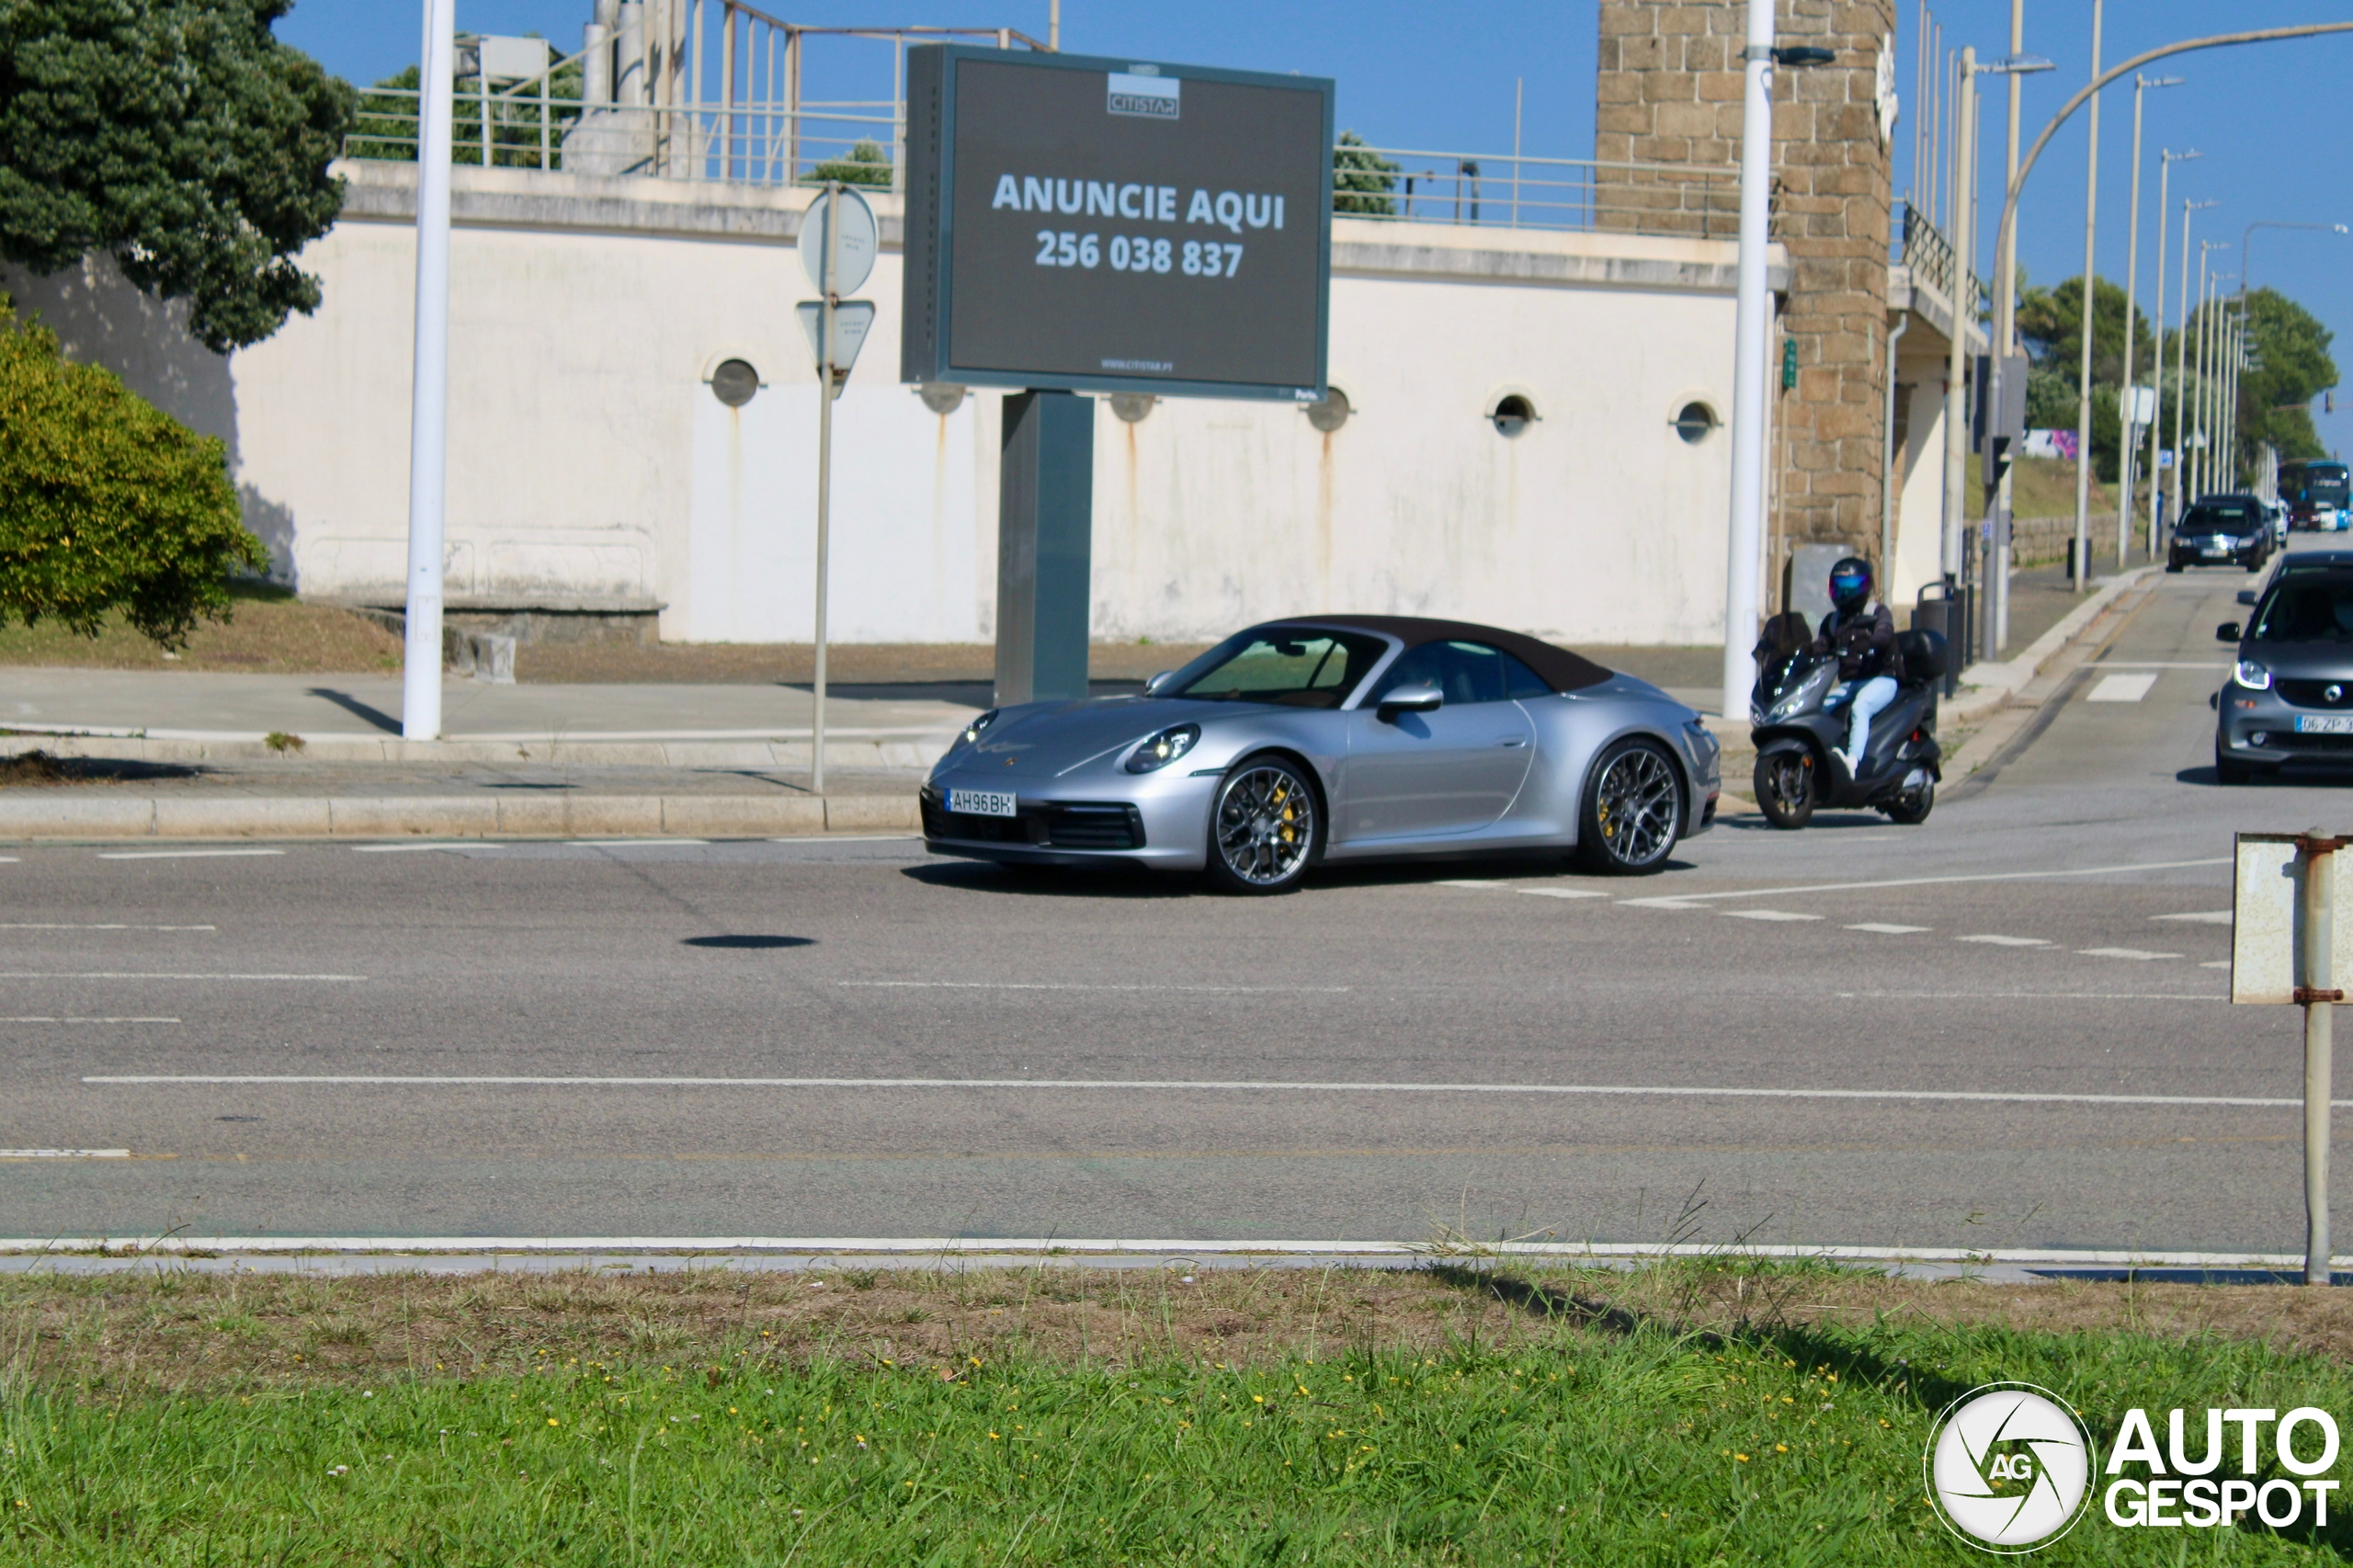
107, 503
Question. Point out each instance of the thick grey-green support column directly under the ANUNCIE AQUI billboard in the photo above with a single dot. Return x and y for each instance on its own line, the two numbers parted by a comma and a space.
1046, 547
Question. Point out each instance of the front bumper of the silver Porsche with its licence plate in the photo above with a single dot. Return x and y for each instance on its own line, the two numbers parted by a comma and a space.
1145, 820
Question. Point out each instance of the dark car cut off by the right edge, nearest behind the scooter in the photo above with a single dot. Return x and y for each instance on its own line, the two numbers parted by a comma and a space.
2291, 696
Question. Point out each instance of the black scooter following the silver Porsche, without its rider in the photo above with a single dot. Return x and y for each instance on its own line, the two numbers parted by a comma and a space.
1799, 738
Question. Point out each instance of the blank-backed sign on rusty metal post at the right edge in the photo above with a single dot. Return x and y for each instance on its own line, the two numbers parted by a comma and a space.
2286, 950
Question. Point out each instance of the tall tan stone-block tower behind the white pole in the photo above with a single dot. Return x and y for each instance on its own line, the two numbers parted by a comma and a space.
1672, 93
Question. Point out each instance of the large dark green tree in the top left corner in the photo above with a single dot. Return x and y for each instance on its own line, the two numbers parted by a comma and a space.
178, 135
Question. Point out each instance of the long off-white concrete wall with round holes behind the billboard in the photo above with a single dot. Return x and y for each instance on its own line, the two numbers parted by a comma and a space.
592, 467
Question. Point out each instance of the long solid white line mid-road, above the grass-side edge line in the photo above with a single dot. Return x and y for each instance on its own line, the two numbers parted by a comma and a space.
1189, 1087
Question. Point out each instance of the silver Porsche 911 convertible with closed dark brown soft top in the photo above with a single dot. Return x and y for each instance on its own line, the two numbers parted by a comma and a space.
1335, 738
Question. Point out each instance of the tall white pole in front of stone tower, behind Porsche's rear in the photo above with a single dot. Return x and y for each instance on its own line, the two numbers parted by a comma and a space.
1749, 413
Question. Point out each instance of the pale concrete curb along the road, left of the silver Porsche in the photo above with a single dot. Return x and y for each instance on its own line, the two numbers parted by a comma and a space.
67, 813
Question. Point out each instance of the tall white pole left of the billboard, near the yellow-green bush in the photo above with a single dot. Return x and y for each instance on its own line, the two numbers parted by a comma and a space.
429, 383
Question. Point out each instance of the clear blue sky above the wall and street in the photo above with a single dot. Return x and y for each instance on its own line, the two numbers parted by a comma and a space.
2269, 119
